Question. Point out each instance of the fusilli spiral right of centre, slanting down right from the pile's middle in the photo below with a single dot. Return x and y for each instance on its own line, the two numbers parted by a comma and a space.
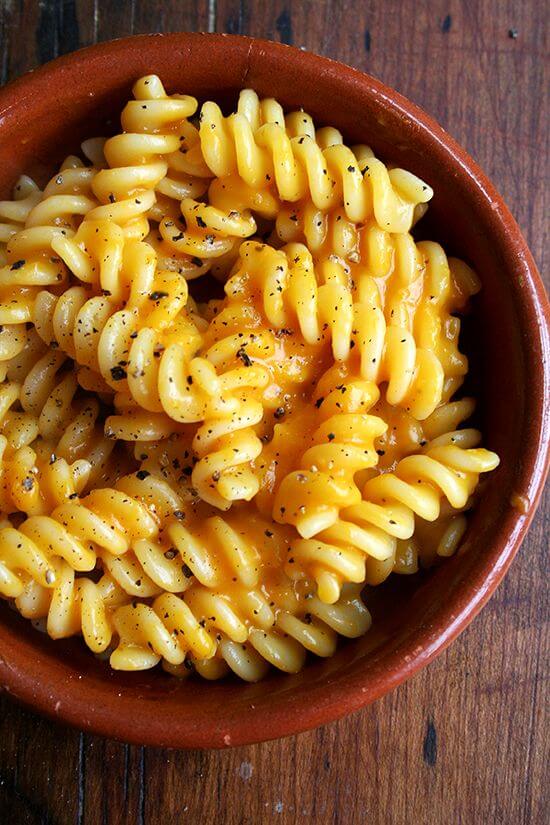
287, 286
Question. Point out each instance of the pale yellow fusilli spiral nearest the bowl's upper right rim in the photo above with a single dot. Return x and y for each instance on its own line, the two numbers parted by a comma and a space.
257, 144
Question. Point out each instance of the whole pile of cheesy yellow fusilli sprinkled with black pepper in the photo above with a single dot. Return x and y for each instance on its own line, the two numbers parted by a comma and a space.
211, 485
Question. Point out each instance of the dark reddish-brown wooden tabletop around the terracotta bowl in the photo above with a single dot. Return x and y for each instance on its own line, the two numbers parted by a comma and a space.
463, 742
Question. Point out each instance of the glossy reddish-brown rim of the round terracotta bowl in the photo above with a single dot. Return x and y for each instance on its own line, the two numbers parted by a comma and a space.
338, 696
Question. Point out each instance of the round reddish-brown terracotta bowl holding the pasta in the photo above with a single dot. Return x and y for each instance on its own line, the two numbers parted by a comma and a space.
43, 116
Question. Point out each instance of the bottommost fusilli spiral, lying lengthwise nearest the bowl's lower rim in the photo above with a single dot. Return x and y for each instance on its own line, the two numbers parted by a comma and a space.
147, 635
